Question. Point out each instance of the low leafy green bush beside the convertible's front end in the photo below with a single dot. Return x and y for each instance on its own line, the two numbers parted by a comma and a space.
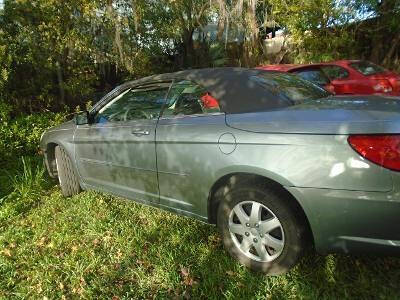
21, 135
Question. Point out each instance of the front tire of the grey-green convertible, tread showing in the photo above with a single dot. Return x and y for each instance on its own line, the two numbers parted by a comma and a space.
67, 176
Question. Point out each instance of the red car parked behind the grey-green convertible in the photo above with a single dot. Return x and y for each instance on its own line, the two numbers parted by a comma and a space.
346, 77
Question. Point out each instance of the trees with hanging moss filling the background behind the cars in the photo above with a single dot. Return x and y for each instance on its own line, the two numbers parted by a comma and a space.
56, 54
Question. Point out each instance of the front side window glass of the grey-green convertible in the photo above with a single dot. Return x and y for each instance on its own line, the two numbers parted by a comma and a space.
134, 104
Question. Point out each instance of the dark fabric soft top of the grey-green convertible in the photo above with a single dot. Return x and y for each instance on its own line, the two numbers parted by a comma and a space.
234, 88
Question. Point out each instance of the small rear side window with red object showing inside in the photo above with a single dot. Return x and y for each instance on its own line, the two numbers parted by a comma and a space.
189, 98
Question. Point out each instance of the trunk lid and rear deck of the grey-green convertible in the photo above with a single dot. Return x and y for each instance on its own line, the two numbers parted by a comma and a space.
332, 115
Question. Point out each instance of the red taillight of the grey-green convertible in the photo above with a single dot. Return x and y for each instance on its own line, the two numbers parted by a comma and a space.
383, 150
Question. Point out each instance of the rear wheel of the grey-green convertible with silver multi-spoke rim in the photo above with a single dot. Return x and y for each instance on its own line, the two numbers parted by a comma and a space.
274, 235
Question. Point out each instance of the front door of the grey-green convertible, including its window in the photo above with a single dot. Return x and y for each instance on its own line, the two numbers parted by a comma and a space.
116, 152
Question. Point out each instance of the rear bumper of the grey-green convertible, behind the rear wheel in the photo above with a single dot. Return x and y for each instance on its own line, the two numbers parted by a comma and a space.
352, 221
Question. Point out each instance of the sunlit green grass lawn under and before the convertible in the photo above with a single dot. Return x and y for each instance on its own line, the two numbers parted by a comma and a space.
97, 246
